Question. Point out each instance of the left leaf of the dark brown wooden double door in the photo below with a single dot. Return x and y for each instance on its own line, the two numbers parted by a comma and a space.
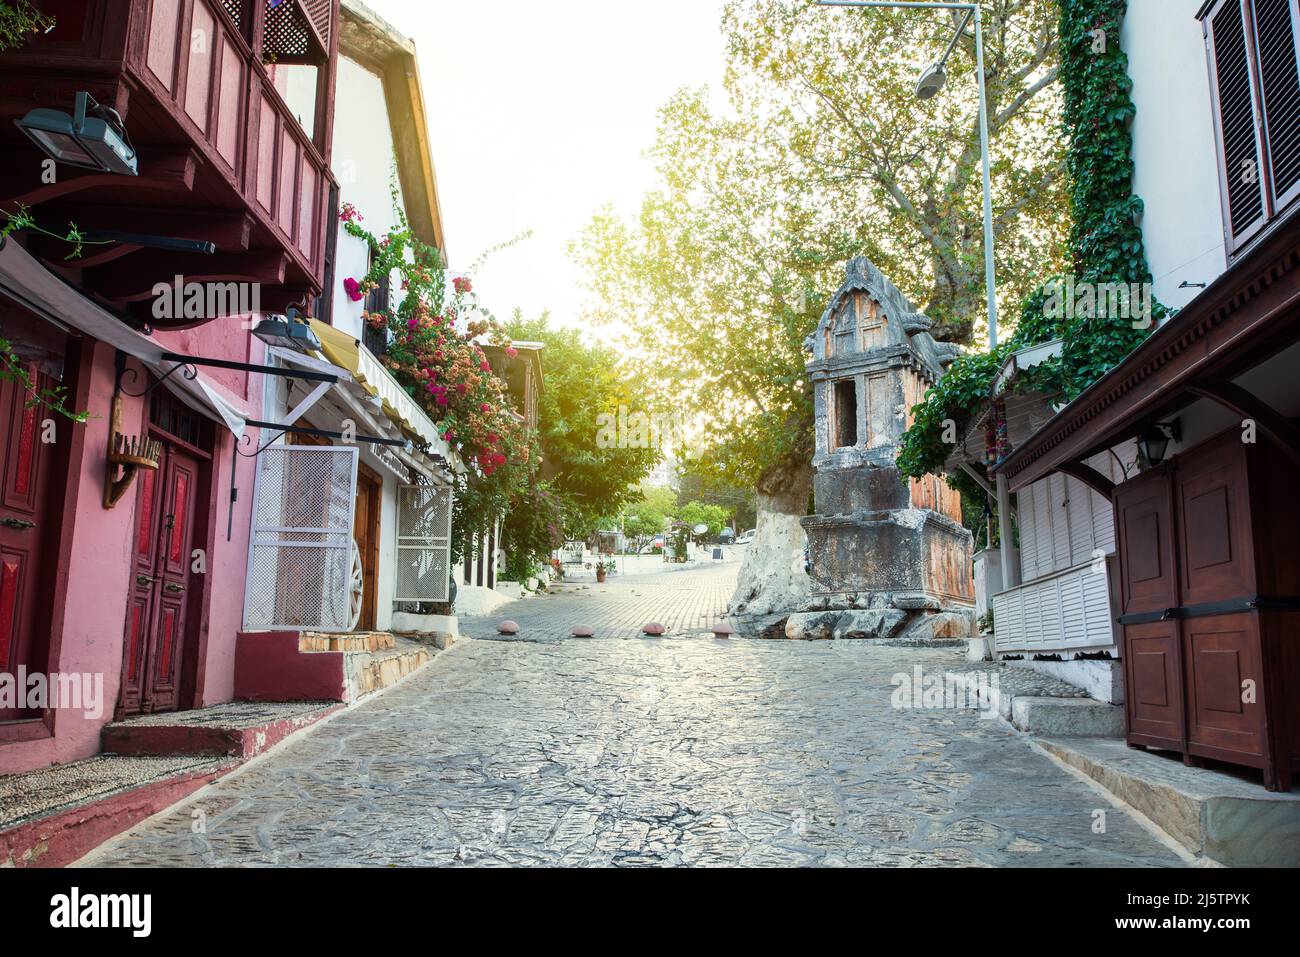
1149, 596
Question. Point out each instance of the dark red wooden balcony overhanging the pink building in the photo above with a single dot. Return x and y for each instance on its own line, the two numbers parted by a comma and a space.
229, 105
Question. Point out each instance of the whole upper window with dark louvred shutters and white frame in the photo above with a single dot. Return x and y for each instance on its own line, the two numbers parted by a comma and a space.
1255, 71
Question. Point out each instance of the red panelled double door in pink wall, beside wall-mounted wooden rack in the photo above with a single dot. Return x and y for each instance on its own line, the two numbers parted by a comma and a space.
157, 616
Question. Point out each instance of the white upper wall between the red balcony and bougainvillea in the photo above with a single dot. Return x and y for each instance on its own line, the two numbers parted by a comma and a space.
363, 164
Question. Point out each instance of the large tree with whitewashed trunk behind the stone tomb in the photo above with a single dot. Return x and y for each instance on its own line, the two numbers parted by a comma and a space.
824, 153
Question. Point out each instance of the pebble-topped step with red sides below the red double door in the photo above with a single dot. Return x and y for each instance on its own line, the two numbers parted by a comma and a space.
240, 730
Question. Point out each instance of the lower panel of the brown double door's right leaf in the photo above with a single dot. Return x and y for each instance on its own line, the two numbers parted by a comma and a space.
1224, 713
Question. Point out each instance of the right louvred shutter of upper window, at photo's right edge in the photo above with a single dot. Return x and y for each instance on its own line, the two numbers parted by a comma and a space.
1280, 84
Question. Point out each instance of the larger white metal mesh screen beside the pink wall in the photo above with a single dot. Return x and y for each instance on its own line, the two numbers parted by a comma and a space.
300, 555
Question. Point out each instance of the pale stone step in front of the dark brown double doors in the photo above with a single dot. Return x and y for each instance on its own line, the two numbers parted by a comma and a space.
1223, 815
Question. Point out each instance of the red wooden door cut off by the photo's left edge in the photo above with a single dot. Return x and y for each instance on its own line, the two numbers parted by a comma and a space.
27, 469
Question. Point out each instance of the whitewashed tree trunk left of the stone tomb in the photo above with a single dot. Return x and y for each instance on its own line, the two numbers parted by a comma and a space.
772, 575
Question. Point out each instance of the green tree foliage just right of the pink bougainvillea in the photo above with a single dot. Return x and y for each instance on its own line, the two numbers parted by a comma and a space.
583, 384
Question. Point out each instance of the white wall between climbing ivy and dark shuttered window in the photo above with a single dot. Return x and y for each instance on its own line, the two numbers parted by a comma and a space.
1175, 146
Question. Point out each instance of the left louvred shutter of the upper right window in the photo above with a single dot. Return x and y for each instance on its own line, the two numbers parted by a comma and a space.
1238, 123
